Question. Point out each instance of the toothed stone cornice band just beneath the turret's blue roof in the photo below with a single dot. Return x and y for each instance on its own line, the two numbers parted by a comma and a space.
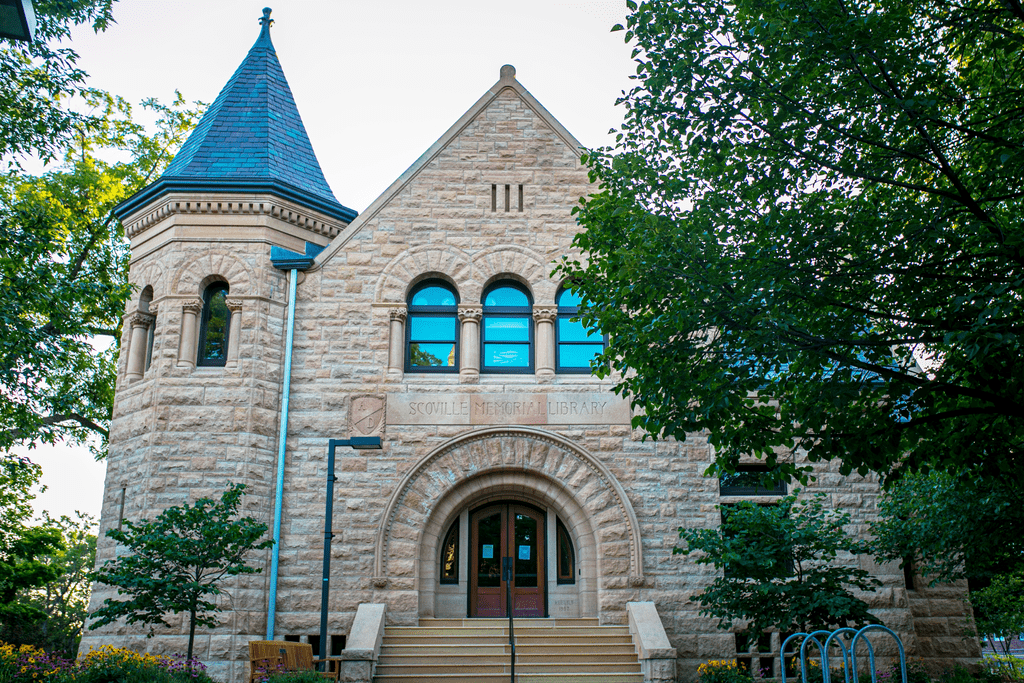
228, 206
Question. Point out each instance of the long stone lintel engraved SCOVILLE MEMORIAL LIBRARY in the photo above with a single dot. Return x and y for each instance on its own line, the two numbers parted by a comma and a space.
508, 409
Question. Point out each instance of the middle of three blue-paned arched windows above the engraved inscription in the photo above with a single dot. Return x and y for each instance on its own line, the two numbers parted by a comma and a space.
507, 333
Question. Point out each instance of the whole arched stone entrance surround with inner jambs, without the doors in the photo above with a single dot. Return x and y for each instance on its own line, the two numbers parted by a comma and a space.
508, 463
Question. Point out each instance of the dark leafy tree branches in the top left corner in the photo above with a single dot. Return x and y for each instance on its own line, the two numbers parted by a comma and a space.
38, 78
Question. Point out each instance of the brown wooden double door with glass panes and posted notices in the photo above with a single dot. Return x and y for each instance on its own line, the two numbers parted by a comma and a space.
507, 552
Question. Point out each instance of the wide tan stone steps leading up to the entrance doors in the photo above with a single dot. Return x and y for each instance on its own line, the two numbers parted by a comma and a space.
563, 651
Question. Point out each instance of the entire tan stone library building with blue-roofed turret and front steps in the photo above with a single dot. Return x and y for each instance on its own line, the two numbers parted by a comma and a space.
425, 351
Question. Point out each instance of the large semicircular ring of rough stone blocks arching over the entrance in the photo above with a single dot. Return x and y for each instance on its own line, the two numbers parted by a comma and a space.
529, 461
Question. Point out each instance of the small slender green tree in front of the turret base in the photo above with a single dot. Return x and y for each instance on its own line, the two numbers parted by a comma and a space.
176, 563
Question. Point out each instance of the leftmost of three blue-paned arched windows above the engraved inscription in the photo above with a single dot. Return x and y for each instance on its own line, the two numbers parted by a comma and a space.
434, 329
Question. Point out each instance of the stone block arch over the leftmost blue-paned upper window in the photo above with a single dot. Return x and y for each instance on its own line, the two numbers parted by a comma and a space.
410, 267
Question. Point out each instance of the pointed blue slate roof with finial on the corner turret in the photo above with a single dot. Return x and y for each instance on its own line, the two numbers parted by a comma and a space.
250, 141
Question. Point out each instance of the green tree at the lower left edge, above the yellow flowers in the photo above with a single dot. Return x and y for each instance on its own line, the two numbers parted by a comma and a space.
23, 548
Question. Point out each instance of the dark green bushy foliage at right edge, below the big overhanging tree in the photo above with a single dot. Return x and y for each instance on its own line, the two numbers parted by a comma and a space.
953, 528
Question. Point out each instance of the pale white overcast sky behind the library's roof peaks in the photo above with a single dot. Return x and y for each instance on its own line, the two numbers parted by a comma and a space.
376, 82
